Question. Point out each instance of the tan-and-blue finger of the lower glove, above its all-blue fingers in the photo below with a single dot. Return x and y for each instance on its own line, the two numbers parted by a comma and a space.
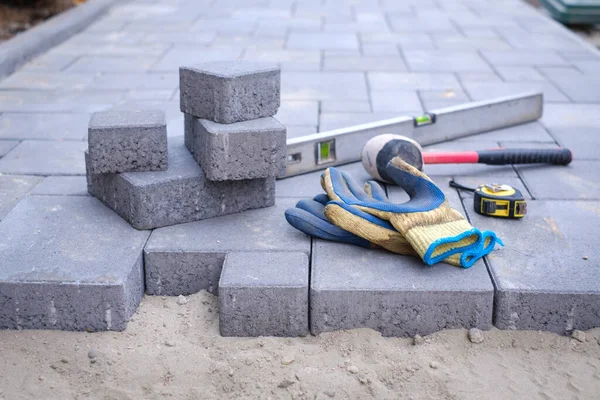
367, 226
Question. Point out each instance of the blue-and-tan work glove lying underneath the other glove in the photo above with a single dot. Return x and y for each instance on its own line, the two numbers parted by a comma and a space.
309, 217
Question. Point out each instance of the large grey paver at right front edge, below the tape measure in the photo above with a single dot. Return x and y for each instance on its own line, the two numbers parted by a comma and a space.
536, 287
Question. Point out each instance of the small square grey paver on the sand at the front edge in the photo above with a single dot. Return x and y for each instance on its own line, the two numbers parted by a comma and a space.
264, 294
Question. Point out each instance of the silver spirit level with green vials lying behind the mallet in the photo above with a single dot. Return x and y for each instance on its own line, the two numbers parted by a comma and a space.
341, 146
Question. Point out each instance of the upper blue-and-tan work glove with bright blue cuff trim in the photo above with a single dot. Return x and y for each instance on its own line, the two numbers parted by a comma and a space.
433, 229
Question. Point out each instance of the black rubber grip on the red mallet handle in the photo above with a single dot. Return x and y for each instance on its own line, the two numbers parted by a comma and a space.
525, 156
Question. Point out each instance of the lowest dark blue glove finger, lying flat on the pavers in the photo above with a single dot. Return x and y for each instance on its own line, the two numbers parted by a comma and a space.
313, 226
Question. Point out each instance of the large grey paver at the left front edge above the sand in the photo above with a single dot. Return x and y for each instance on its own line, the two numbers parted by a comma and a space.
56, 274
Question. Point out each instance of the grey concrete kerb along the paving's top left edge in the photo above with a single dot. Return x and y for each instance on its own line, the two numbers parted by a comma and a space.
29, 44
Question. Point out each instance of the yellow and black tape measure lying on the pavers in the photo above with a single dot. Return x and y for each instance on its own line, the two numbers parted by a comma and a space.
496, 200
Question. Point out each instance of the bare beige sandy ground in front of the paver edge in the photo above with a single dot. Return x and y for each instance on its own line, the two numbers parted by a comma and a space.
175, 351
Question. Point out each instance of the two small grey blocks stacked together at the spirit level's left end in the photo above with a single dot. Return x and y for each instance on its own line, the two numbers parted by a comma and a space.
229, 127
